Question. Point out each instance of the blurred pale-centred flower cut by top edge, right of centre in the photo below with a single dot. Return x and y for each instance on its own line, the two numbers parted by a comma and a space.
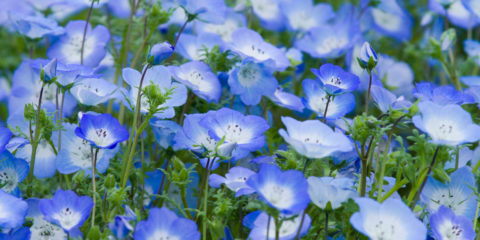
304, 15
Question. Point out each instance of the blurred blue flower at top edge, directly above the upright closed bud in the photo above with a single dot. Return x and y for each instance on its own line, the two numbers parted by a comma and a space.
390, 19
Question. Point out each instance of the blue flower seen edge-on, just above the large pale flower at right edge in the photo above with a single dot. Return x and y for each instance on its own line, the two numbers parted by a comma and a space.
441, 95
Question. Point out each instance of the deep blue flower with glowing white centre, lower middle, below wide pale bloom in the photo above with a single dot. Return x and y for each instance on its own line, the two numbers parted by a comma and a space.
286, 191
